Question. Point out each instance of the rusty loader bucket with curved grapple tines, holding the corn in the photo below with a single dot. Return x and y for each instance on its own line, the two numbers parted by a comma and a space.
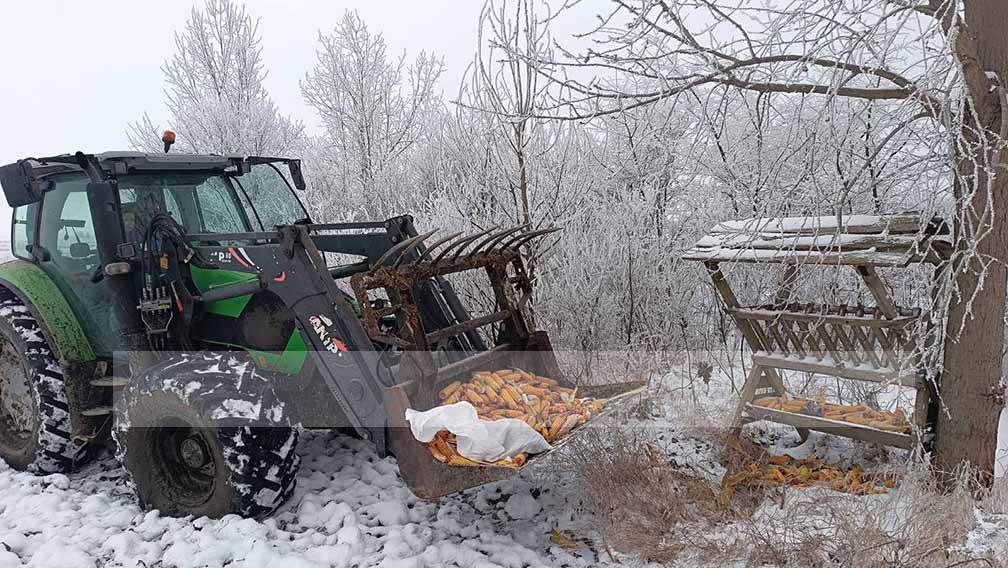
422, 373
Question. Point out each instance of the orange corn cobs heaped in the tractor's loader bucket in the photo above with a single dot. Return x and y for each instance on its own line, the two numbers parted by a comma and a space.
542, 403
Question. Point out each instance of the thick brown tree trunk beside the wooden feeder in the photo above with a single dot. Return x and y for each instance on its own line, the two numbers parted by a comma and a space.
971, 384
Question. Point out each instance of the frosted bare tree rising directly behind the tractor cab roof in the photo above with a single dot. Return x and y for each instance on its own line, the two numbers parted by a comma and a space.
215, 92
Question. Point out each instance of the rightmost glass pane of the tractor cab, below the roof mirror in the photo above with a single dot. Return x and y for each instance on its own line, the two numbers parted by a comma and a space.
271, 199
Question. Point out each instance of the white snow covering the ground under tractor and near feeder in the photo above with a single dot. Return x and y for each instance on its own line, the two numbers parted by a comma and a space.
351, 509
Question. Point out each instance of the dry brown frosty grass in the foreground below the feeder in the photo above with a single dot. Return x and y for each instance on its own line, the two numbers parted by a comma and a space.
647, 507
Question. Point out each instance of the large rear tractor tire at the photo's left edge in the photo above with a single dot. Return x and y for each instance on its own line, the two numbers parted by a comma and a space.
36, 427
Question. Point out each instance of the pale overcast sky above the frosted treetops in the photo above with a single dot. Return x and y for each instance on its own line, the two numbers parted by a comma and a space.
77, 73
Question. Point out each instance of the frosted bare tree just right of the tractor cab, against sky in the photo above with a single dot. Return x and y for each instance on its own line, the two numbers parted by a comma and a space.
374, 108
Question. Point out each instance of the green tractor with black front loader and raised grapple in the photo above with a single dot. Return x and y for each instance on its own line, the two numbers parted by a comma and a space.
187, 308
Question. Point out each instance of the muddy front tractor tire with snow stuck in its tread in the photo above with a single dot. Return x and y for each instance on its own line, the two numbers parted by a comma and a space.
205, 434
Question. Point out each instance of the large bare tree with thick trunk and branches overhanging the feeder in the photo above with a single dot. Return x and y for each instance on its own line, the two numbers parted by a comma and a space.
931, 74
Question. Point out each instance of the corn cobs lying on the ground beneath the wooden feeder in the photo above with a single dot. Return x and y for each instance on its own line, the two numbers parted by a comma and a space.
785, 471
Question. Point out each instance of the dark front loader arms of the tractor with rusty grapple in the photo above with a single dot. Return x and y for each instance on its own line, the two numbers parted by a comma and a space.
434, 339
